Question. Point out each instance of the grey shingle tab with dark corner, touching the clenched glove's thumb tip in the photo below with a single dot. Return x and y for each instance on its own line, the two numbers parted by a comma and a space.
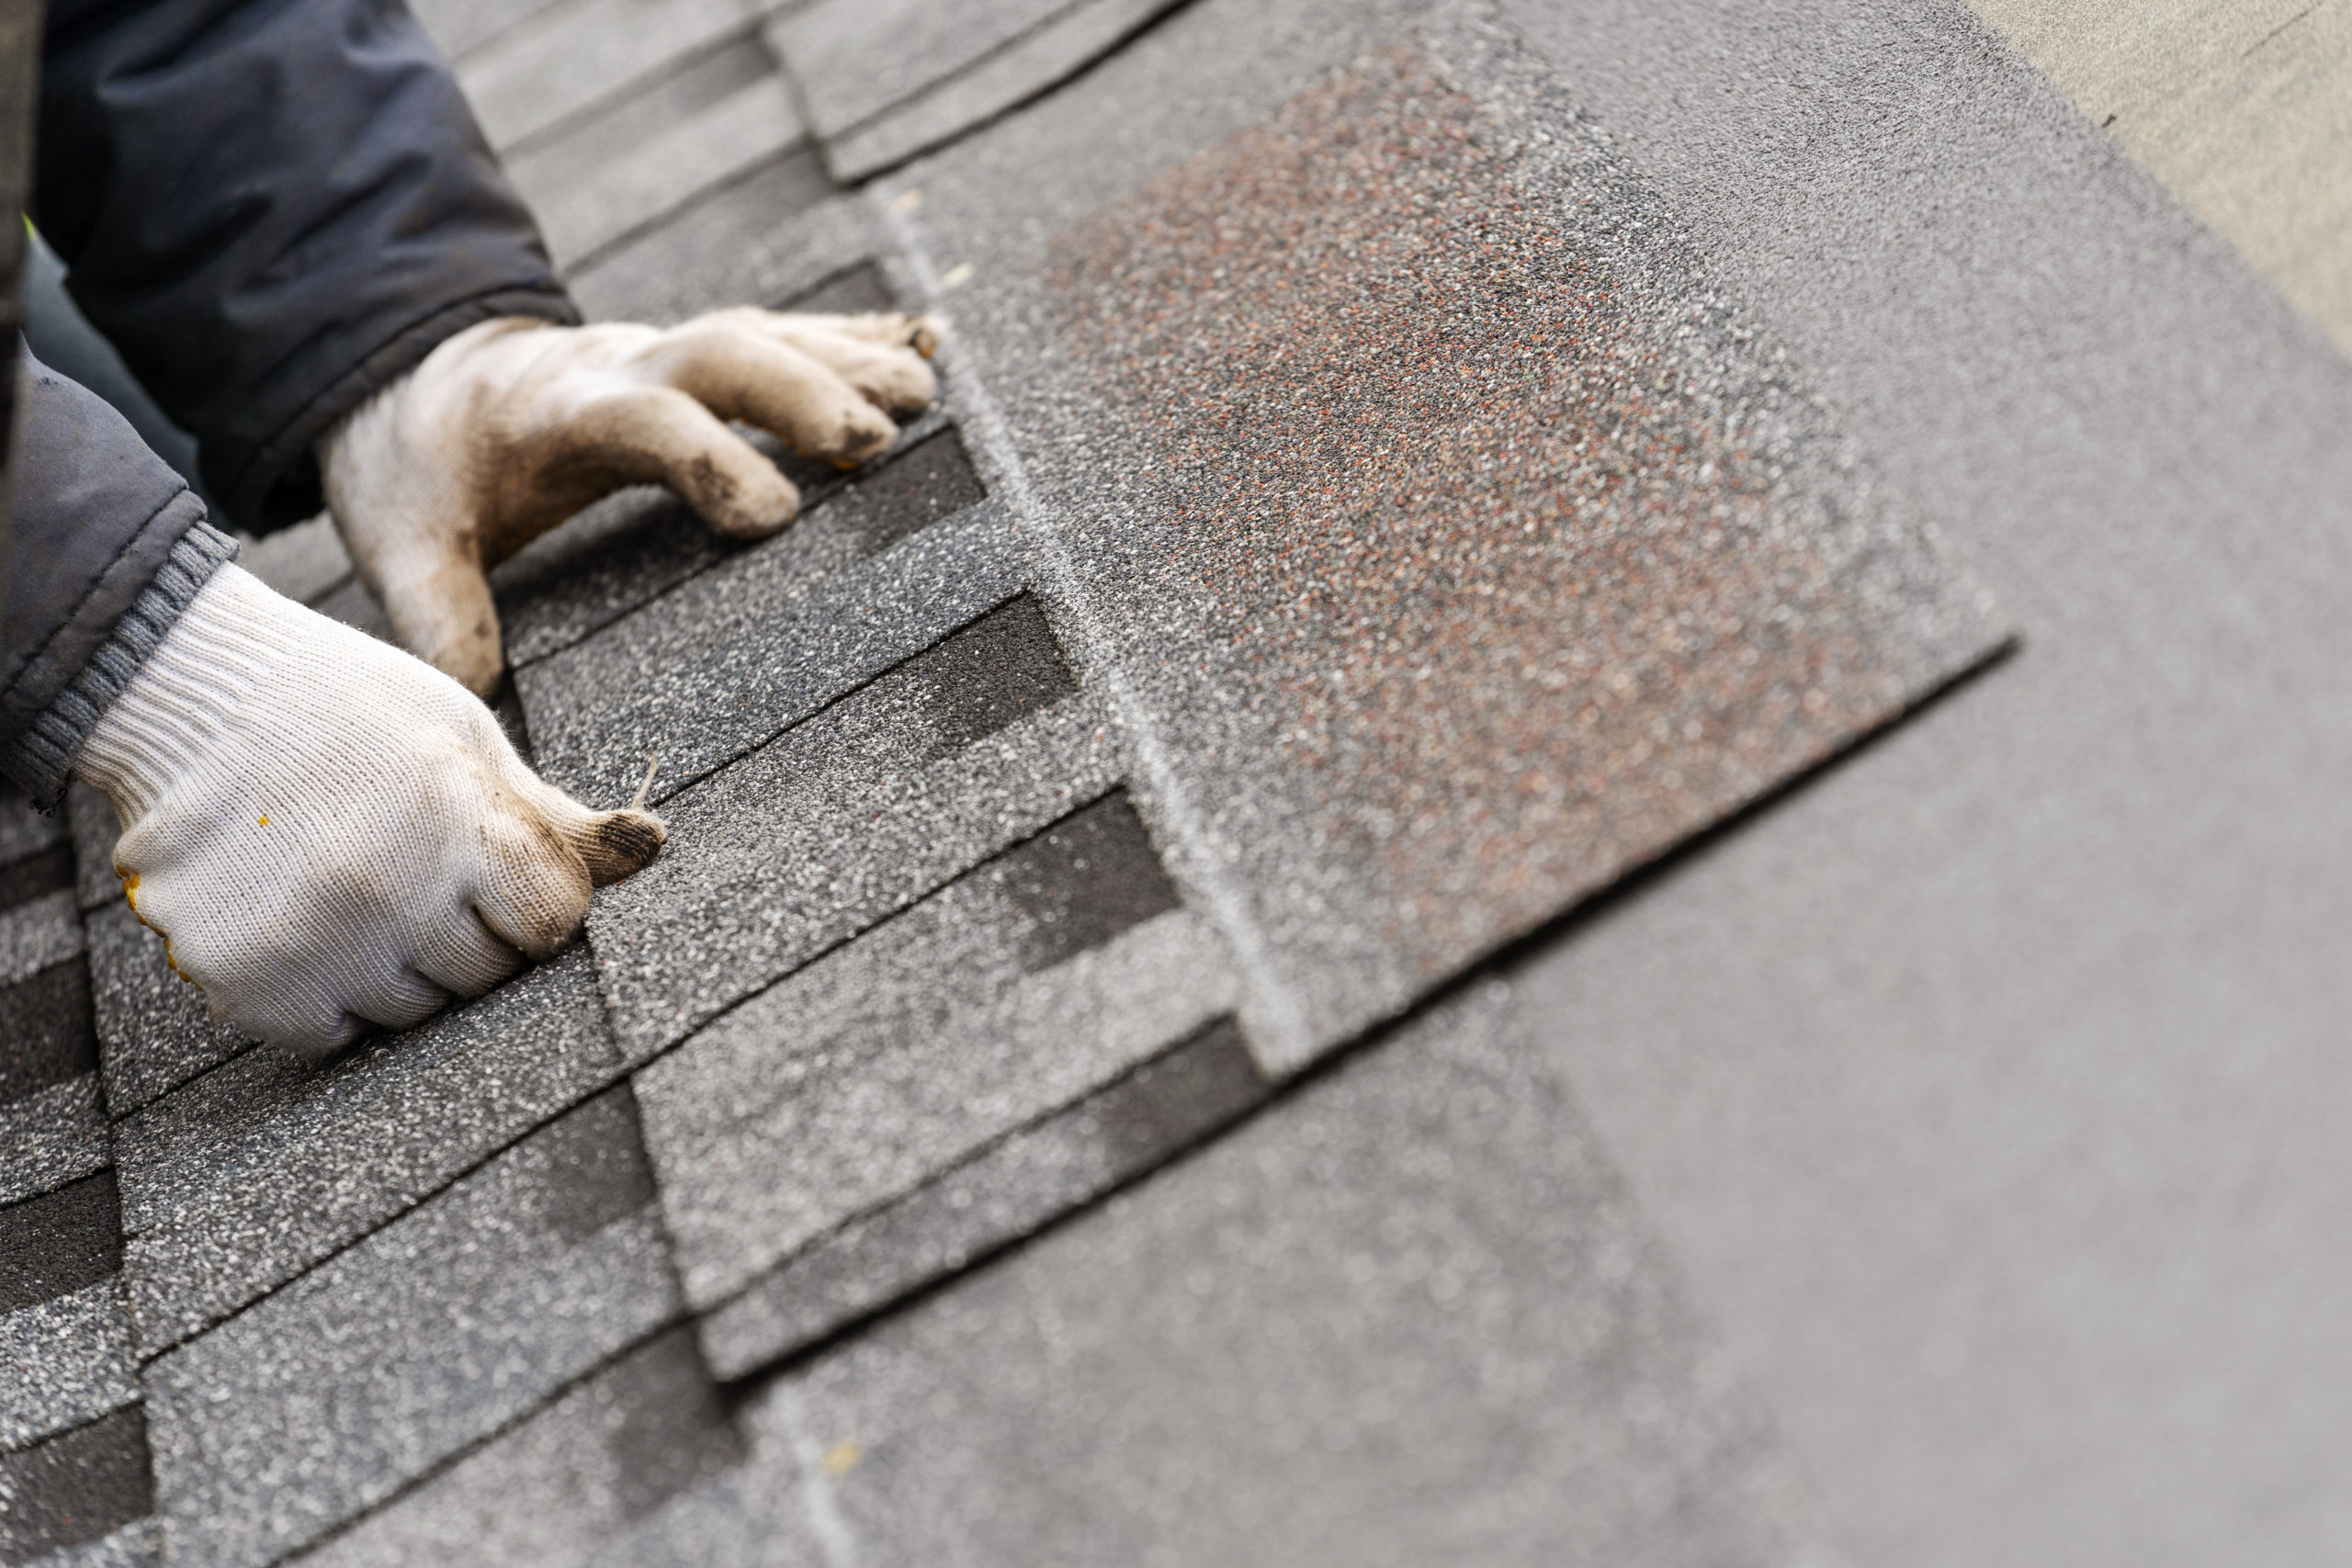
846, 819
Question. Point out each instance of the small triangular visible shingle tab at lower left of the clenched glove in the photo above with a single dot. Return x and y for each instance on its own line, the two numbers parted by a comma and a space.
154, 1028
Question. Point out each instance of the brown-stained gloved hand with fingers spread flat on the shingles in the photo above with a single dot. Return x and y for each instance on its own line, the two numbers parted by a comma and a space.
512, 427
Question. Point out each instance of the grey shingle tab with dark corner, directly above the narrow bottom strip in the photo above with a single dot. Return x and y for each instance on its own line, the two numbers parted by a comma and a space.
963, 1019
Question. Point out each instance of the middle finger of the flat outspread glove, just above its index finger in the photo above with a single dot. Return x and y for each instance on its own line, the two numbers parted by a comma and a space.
770, 384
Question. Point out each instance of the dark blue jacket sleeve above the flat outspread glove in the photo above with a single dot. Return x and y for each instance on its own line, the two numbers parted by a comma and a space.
272, 208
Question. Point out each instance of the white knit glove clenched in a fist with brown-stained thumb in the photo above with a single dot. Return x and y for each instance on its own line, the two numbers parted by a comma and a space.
328, 831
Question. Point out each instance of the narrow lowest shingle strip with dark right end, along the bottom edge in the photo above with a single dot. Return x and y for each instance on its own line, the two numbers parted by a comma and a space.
989, 1202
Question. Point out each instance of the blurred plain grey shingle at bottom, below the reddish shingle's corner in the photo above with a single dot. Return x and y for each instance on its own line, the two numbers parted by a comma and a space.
1325, 1339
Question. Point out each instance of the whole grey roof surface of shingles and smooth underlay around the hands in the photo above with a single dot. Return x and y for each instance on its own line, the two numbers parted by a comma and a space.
1295, 934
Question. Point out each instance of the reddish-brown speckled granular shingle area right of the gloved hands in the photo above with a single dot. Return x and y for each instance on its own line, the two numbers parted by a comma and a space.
1492, 551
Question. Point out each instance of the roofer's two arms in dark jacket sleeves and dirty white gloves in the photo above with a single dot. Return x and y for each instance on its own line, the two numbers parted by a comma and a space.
286, 220
